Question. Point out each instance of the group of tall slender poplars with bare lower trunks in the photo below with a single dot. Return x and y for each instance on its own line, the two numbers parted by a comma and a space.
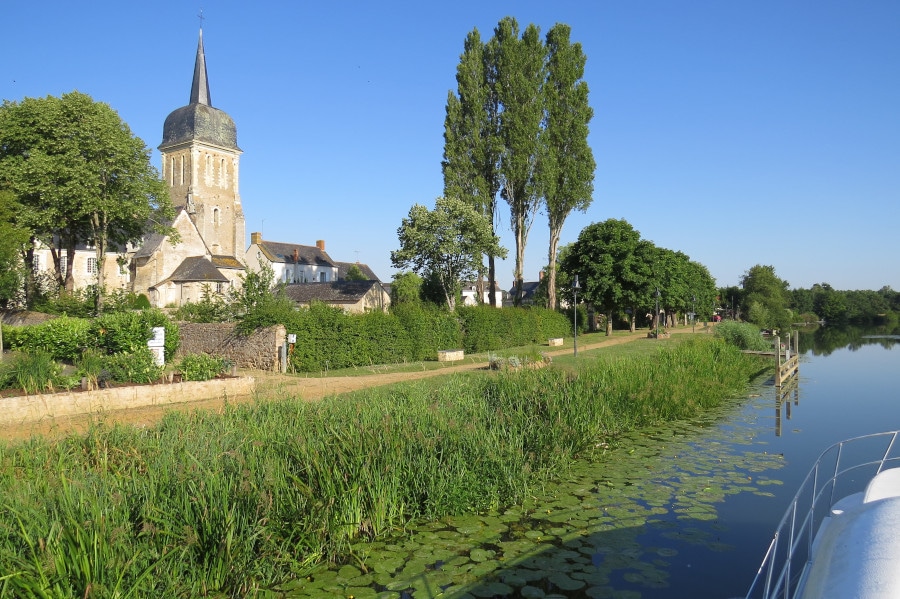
516, 130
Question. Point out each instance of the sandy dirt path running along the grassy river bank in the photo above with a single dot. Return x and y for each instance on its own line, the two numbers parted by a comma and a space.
274, 386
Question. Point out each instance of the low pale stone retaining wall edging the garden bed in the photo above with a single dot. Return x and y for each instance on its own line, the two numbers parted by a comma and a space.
33, 408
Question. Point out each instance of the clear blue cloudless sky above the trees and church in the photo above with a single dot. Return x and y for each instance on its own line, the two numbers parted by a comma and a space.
738, 132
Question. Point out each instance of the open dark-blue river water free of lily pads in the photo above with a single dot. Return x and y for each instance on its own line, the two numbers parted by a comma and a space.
842, 392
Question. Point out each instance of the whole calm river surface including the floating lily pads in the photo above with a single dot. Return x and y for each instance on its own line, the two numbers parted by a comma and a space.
682, 510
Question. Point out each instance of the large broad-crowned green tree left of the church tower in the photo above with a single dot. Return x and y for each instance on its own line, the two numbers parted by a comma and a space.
80, 176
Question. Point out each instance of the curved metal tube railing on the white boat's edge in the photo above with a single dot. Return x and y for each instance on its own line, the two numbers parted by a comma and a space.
841, 470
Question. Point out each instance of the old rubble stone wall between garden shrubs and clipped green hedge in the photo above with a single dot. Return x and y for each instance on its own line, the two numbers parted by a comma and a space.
258, 351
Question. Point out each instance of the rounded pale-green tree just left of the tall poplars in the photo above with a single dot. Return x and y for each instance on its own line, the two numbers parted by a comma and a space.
446, 242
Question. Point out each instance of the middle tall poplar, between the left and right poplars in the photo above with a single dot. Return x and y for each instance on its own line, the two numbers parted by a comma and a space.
520, 72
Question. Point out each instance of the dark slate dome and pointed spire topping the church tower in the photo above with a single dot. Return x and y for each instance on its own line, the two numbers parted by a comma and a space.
199, 121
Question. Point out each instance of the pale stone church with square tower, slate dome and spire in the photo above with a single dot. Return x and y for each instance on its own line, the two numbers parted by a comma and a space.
201, 165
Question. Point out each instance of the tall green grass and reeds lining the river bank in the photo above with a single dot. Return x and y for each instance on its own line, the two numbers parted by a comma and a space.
226, 504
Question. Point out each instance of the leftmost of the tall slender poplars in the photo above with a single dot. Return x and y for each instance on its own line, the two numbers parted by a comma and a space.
471, 141
